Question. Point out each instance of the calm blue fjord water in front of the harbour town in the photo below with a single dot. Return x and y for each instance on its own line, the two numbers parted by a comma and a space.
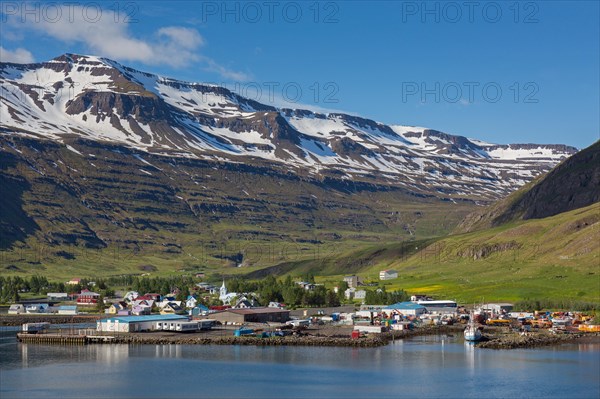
439, 366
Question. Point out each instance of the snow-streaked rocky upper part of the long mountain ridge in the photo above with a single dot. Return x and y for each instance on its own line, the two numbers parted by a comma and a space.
86, 97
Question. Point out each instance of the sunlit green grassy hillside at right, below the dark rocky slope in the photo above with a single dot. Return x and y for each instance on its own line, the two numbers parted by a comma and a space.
556, 257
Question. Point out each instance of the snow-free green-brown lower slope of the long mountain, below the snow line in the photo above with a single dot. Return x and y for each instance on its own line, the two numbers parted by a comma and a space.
112, 213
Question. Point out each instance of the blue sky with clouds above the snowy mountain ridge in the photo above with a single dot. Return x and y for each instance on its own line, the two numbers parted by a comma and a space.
503, 72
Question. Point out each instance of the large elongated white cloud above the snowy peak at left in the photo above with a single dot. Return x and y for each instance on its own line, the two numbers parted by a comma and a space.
109, 36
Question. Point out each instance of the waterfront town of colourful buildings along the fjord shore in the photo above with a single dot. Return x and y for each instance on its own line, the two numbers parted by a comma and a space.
353, 314
